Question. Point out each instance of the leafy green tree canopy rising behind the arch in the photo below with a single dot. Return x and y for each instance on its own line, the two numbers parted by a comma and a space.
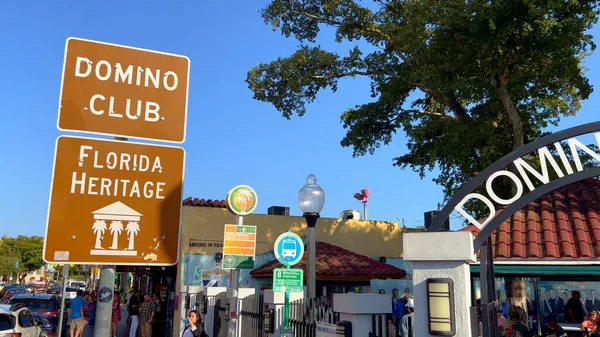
488, 75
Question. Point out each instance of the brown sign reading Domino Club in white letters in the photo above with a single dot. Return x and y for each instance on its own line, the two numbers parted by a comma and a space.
123, 91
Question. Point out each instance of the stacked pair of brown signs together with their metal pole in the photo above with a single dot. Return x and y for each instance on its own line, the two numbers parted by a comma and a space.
122, 190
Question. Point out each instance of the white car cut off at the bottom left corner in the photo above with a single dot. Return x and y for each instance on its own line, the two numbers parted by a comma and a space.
18, 322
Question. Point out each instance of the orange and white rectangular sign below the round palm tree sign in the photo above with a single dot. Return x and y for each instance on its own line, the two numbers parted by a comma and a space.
239, 247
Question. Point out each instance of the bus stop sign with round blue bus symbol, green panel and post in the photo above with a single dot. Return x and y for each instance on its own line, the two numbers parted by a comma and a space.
289, 250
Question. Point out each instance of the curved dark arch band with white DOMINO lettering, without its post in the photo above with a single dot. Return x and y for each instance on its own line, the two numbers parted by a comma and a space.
568, 170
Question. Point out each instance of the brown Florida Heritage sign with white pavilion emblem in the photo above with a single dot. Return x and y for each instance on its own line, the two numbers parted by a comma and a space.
116, 203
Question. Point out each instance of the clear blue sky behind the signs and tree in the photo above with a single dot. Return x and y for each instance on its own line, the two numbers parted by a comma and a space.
231, 138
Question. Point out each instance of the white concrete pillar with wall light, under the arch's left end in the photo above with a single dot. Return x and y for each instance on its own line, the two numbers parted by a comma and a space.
441, 255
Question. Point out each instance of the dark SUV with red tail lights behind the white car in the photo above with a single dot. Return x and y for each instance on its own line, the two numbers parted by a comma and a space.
45, 308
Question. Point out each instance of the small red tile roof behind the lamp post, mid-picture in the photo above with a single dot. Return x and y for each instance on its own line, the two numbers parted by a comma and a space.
336, 263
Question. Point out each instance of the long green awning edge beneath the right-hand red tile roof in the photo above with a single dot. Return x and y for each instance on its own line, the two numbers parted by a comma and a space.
558, 271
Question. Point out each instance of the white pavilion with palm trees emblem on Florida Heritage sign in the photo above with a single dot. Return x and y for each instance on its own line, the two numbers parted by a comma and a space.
116, 214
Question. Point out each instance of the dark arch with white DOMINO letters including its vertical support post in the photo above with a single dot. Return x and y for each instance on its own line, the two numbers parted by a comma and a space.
568, 168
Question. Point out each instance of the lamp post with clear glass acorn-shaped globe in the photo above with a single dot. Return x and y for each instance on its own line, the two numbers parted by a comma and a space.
311, 199
